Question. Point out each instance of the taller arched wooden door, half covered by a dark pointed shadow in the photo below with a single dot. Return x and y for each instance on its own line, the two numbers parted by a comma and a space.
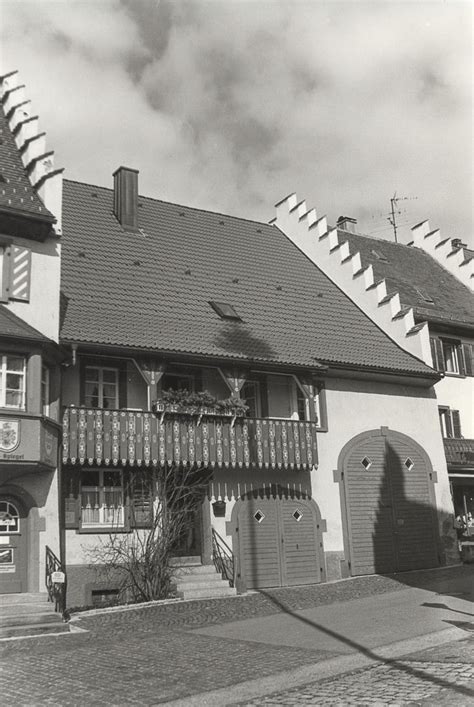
390, 516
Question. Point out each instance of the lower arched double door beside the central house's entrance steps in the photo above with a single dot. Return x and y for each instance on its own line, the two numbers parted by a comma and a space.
278, 538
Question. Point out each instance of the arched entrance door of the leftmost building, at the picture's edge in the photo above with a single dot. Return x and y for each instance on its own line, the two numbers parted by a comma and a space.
13, 547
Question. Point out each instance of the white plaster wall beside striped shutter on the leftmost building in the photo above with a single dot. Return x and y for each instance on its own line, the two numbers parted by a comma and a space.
42, 311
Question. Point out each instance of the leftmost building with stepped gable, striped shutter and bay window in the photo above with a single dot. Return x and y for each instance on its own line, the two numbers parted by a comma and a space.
29, 351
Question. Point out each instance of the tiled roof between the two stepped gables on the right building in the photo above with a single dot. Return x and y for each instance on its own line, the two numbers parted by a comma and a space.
414, 273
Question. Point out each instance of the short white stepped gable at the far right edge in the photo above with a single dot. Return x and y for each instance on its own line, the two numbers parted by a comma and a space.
451, 253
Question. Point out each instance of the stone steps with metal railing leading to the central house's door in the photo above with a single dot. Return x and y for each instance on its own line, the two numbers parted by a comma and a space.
193, 580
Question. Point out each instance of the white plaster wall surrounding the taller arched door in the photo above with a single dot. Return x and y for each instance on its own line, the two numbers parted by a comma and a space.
354, 407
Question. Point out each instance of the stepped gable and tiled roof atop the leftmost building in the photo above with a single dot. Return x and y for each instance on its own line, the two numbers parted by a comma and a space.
30, 186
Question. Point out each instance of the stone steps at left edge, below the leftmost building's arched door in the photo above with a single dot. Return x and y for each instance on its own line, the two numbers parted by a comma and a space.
29, 615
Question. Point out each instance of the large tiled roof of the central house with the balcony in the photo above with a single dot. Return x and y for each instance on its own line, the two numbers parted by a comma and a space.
152, 289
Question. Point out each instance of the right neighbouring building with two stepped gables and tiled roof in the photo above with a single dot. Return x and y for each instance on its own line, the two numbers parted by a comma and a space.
421, 295
